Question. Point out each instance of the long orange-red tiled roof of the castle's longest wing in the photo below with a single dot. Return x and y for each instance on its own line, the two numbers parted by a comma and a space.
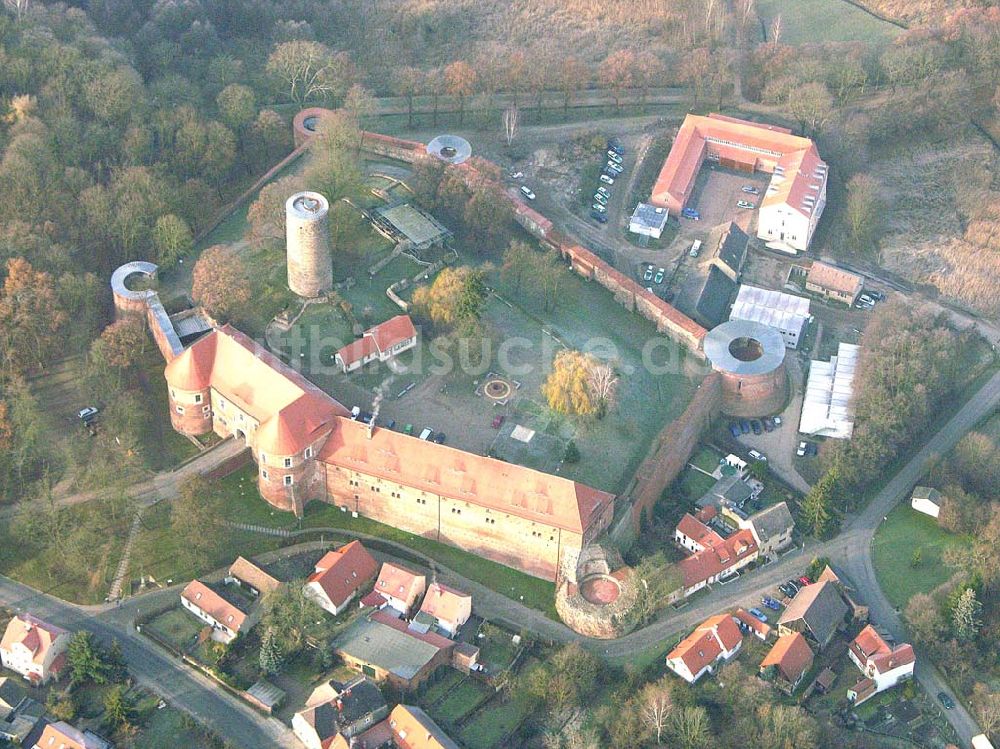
443, 470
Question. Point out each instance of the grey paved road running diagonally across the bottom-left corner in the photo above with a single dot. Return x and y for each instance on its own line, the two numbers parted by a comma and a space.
156, 670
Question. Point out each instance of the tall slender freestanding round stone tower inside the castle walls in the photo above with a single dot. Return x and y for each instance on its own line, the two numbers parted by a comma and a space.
310, 266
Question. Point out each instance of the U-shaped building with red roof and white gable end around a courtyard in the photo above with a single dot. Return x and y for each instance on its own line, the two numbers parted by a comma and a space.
794, 199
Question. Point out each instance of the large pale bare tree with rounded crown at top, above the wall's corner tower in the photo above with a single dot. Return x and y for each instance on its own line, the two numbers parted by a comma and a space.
310, 71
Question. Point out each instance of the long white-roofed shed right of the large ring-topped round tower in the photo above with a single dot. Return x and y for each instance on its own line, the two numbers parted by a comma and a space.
827, 410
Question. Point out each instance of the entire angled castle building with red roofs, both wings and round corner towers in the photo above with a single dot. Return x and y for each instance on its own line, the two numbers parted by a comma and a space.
307, 448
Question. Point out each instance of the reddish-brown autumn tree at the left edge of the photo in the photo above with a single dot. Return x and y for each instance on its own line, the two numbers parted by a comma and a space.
31, 318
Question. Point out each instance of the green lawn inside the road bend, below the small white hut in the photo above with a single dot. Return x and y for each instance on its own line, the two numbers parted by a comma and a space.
904, 532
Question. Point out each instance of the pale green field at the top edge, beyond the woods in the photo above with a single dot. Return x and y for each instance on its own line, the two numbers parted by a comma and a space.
805, 21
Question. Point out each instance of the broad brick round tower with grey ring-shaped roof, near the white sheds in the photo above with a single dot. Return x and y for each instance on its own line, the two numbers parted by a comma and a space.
750, 356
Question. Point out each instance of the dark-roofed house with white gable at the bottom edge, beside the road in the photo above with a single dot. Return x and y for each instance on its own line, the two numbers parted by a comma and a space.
346, 709
